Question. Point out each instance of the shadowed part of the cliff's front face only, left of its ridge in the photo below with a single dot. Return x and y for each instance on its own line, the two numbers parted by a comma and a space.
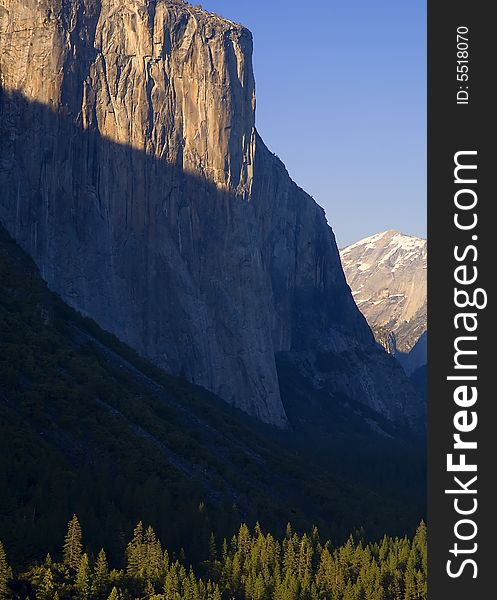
164, 259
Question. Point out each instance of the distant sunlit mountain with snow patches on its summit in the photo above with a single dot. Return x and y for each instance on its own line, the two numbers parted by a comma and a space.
387, 275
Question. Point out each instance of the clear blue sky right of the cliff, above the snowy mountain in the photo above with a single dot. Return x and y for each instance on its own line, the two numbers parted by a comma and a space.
341, 98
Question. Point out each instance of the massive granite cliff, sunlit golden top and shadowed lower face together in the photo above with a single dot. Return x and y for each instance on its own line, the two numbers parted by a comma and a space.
132, 172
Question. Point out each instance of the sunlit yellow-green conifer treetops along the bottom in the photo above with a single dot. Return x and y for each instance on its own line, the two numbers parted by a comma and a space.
250, 566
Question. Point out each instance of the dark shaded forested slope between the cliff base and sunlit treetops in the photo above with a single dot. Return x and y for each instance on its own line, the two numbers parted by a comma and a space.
79, 409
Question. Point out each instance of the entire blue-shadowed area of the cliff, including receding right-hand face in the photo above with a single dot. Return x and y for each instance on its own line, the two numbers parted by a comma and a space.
200, 281
